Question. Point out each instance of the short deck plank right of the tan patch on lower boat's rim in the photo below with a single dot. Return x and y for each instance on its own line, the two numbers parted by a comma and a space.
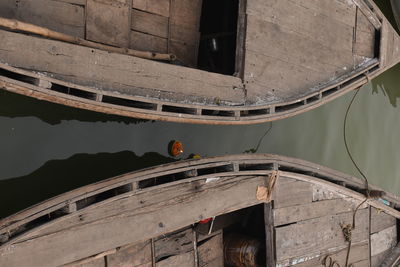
291, 194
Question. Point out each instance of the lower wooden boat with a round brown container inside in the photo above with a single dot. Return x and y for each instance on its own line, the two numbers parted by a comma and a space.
294, 209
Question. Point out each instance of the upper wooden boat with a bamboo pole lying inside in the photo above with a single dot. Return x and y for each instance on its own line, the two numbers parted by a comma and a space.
235, 61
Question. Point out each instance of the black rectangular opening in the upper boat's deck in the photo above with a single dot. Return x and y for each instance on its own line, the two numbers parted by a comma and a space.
218, 27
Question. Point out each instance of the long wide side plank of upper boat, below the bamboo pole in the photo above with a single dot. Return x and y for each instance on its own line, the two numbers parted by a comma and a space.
109, 71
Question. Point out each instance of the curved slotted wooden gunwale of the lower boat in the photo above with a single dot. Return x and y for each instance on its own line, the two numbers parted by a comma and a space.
301, 169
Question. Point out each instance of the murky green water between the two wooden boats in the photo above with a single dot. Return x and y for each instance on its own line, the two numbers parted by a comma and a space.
47, 149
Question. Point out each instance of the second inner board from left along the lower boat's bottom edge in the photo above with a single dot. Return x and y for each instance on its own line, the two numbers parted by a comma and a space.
131, 255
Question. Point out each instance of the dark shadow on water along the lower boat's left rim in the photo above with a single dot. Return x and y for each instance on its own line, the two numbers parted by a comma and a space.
59, 176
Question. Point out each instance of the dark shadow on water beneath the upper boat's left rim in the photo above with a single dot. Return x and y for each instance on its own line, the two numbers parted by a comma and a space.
14, 105
